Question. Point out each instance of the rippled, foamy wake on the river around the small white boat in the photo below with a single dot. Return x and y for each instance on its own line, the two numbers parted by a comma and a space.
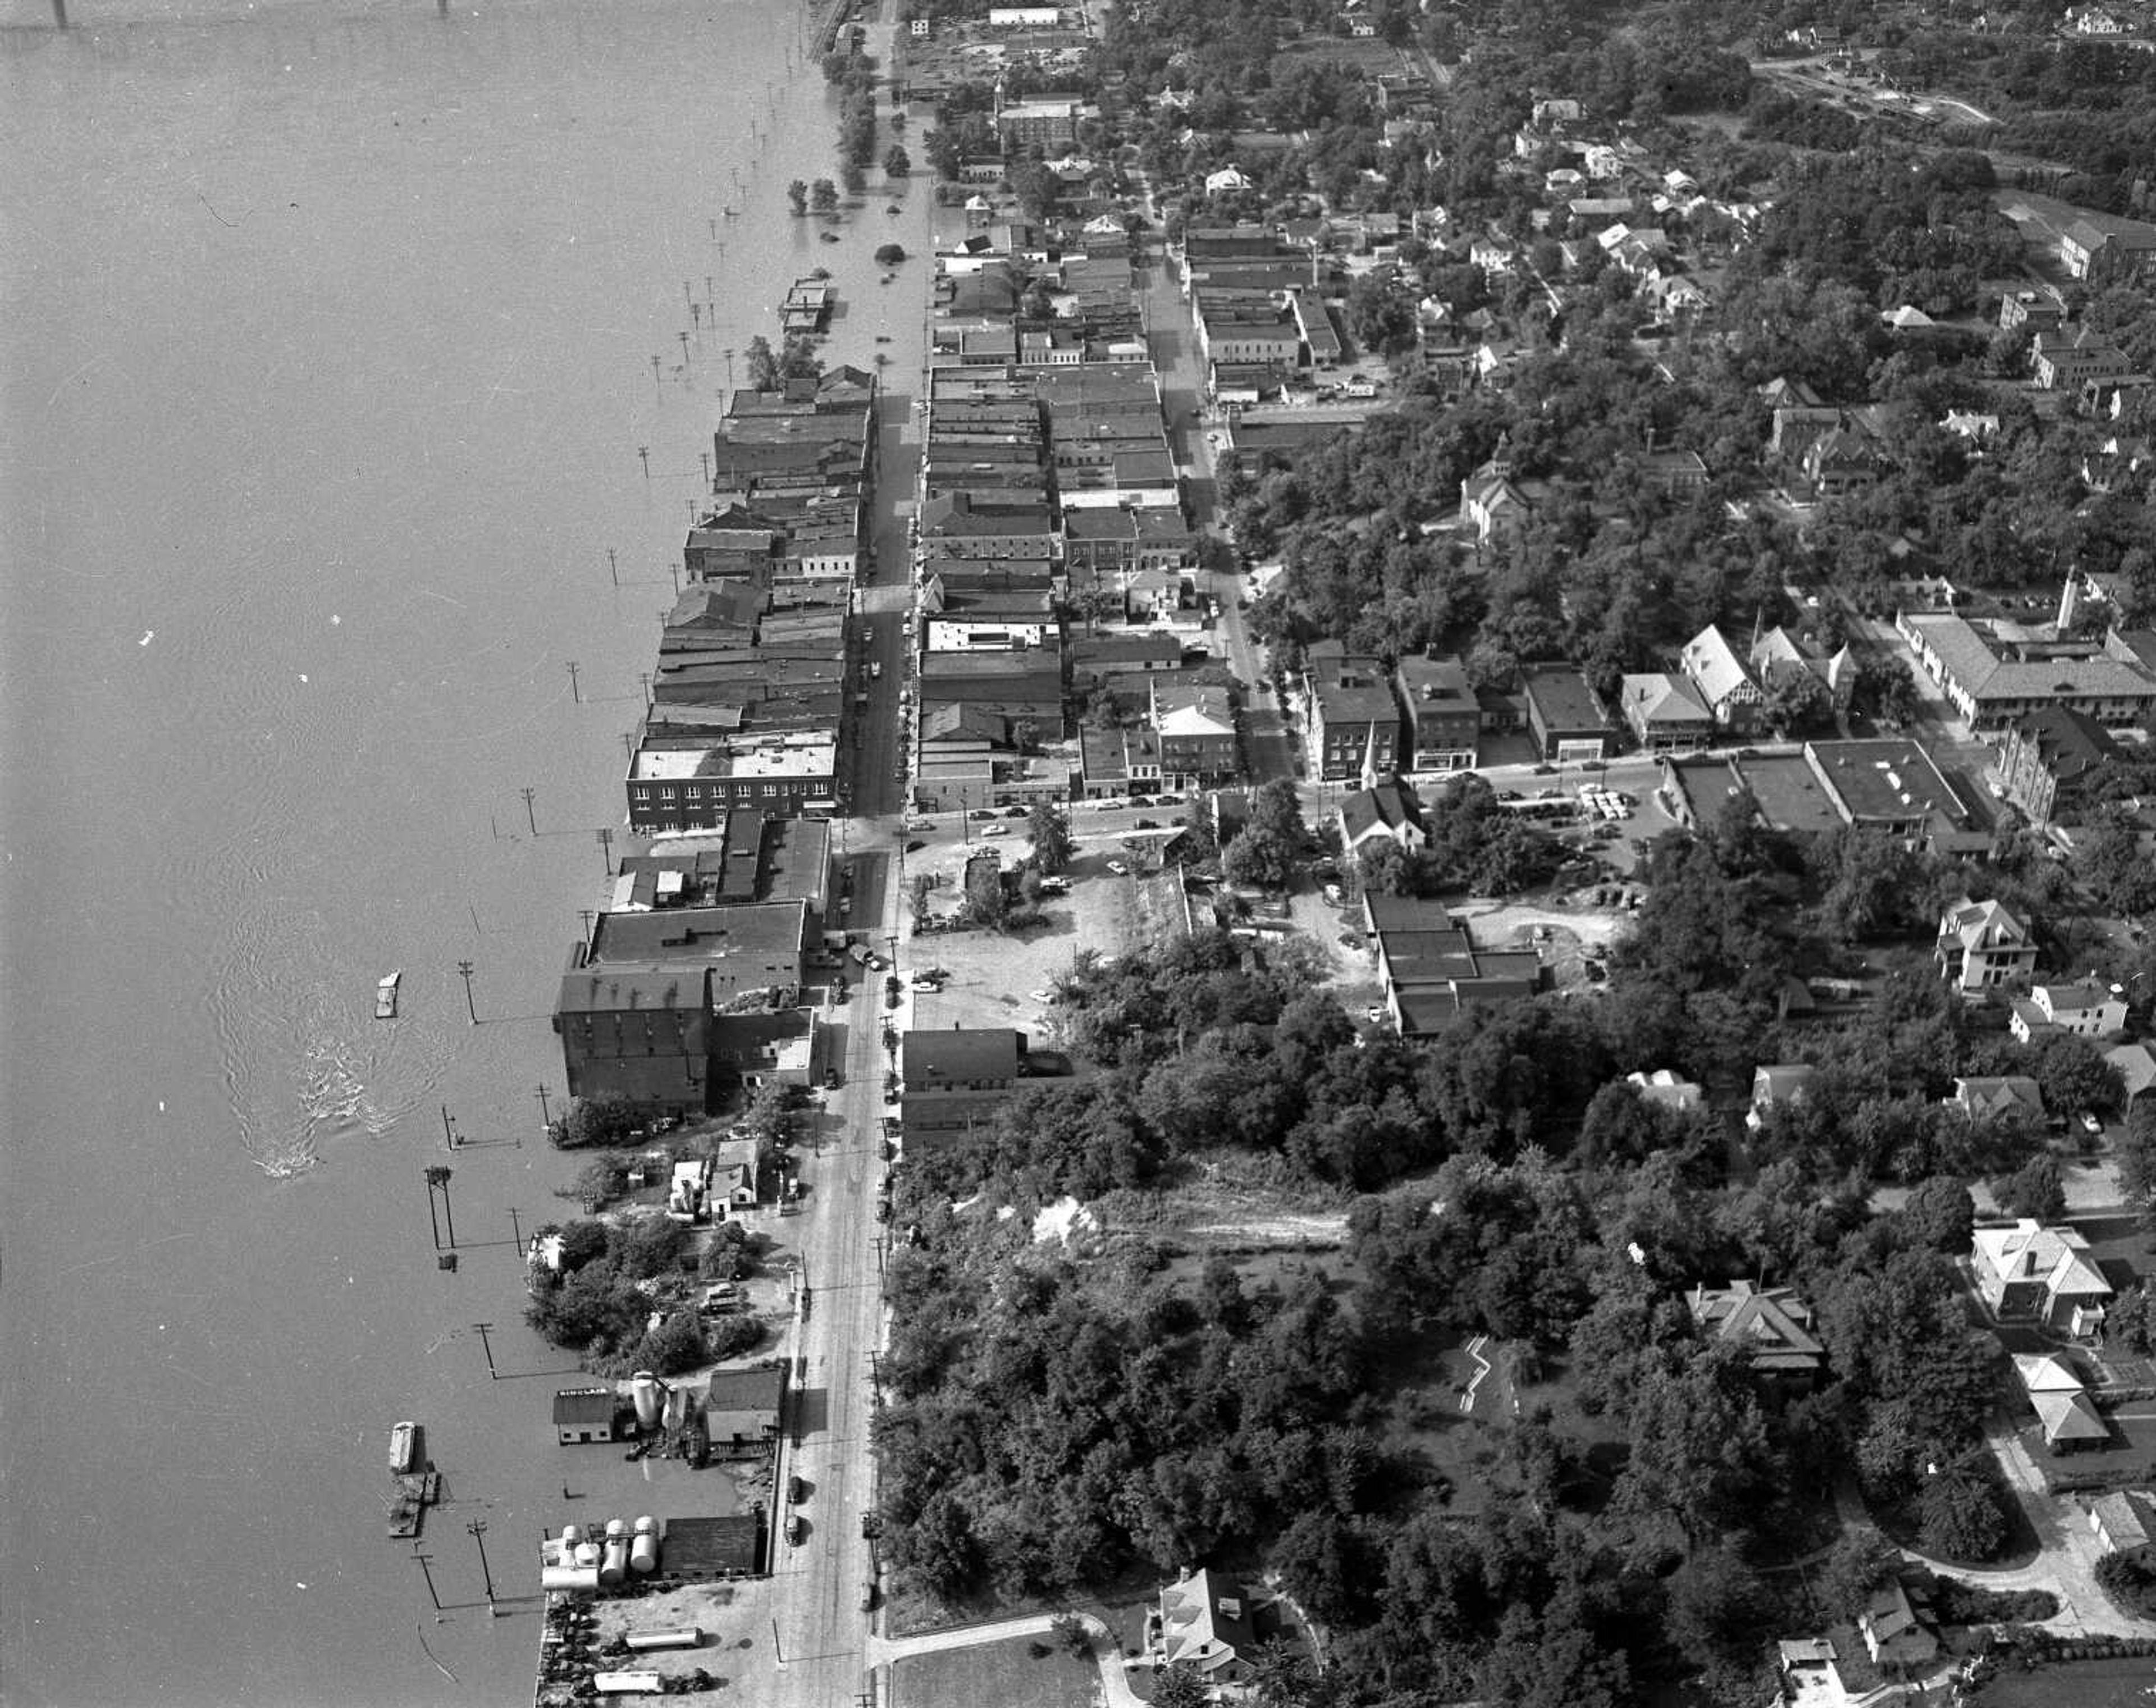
303, 1060
